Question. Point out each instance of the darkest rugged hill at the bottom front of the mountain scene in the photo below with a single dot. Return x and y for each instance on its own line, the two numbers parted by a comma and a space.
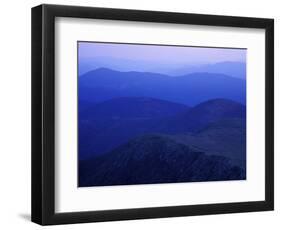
154, 159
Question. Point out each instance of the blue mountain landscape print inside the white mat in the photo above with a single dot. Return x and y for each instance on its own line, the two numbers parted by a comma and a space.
155, 113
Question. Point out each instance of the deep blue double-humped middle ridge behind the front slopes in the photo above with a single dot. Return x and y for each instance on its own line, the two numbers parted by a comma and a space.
104, 128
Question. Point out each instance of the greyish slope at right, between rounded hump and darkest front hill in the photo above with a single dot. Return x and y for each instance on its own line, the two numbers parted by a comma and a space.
224, 138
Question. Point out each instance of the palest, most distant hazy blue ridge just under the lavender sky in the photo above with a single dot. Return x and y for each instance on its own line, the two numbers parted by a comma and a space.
230, 68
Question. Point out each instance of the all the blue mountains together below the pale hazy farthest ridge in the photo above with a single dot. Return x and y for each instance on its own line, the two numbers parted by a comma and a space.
143, 128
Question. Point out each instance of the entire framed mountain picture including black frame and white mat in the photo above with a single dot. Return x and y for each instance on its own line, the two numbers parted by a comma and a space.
142, 114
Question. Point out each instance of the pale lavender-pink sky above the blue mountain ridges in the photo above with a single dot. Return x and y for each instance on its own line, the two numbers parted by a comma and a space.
127, 57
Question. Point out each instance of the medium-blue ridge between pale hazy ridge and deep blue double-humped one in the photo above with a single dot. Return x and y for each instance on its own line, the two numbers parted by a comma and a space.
104, 84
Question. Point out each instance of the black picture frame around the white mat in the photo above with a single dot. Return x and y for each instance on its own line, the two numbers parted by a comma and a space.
43, 114
